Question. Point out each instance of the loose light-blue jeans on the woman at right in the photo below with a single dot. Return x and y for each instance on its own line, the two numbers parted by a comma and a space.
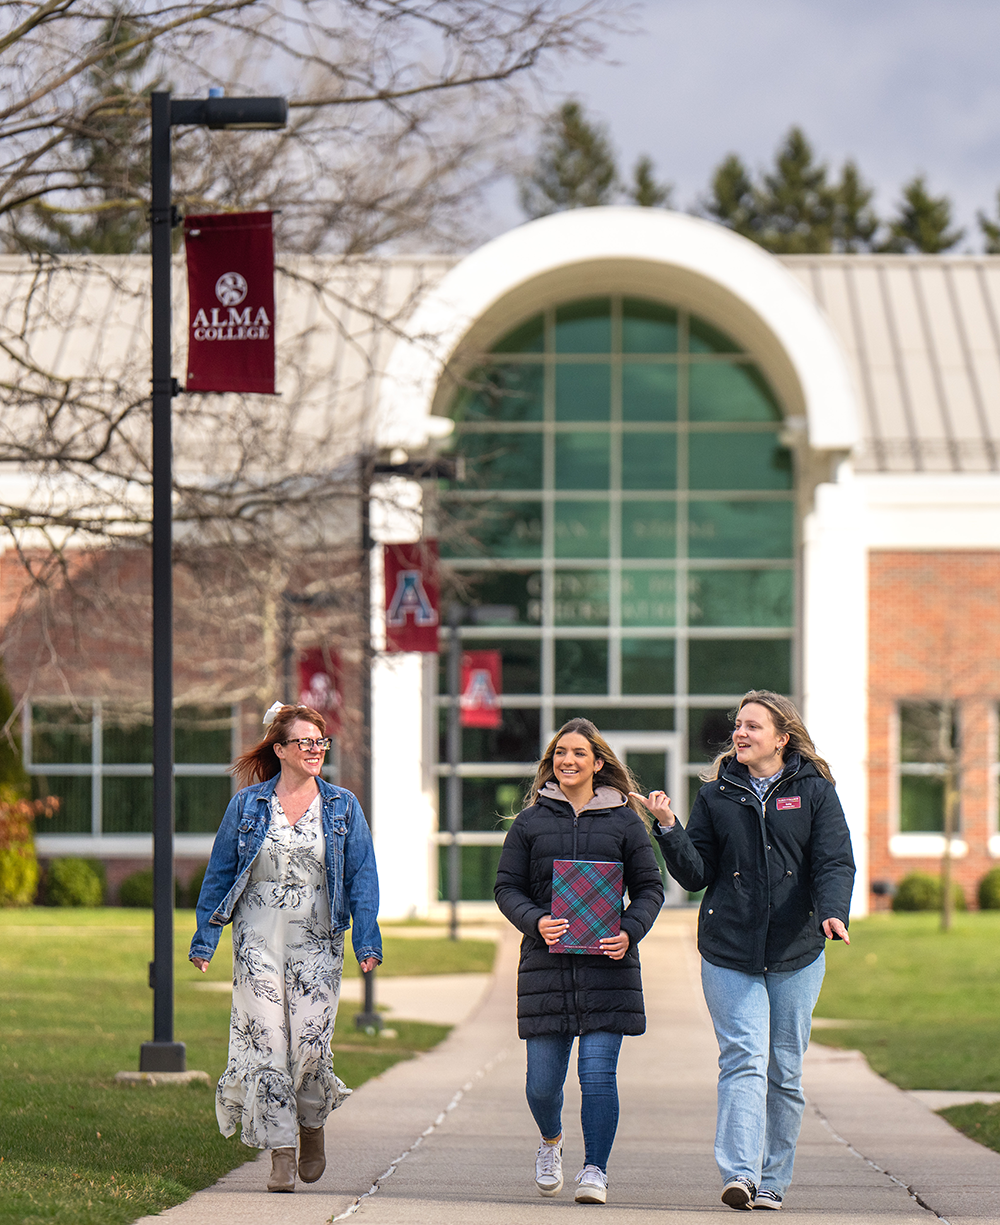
763, 1023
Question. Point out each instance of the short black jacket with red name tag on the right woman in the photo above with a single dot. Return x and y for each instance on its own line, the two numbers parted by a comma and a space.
773, 872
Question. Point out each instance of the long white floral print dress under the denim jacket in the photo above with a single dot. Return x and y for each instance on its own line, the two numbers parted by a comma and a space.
286, 987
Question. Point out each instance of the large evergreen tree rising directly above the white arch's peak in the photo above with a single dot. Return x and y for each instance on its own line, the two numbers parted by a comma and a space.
575, 167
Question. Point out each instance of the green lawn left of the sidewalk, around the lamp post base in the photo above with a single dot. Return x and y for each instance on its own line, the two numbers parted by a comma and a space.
77, 1148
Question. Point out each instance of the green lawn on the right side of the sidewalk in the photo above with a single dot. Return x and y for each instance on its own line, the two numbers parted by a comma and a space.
931, 1006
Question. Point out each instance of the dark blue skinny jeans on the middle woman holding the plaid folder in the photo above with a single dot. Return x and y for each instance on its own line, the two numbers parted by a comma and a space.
597, 1068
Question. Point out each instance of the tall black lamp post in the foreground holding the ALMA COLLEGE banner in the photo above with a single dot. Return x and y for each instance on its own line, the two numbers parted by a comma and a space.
164, 1054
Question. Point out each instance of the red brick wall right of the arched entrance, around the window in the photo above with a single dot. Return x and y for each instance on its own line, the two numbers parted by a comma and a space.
934, 634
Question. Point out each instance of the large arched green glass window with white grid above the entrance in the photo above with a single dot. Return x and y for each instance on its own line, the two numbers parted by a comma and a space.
628, 494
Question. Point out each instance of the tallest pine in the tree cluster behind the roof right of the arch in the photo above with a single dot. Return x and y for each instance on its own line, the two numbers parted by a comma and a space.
796, 203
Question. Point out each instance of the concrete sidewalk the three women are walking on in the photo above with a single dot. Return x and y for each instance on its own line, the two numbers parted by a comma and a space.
447, 1139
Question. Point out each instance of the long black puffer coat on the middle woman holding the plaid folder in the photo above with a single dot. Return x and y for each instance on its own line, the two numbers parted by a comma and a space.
574, 993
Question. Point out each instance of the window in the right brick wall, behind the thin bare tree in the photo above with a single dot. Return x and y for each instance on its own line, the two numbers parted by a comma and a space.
928, 742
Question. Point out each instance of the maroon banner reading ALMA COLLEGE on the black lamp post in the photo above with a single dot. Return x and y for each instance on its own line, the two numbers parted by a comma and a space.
231, 303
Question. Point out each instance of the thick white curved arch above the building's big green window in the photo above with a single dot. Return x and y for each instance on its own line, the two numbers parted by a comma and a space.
645, 252
